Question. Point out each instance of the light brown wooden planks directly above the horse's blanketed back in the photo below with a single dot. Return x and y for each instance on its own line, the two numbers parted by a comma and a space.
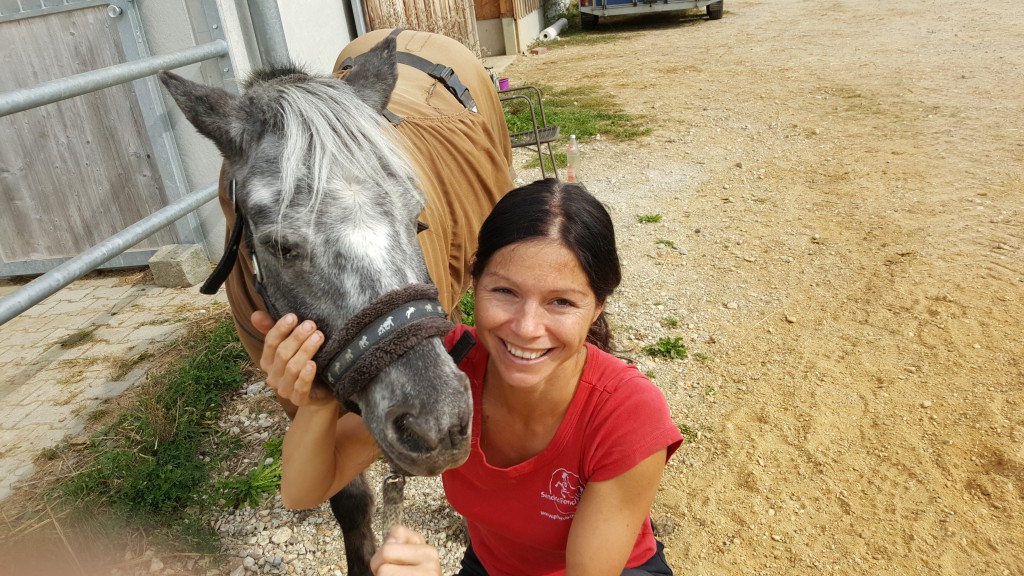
455, 19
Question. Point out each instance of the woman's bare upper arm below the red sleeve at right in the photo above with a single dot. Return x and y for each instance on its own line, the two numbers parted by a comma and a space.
610, 517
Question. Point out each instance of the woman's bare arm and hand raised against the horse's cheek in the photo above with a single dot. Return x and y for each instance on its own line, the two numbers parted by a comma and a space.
321, 454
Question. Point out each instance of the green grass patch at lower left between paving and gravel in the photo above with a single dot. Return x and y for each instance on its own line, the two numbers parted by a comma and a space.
149, 469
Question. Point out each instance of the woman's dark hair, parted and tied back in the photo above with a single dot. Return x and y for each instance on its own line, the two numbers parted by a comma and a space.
566, 213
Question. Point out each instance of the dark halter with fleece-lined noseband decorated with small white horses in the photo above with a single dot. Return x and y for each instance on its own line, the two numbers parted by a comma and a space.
385, 331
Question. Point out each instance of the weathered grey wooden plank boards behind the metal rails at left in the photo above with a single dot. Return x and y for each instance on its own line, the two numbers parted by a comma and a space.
75, 173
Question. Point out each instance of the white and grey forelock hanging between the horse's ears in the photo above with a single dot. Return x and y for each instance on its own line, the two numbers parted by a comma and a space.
327, 131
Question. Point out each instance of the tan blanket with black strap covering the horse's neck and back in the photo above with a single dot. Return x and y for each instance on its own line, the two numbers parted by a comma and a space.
463, 160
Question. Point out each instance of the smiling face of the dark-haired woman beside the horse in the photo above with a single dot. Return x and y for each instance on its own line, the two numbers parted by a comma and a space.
534, 309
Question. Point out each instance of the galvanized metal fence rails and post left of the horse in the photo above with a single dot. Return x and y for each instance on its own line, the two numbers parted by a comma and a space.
273, 51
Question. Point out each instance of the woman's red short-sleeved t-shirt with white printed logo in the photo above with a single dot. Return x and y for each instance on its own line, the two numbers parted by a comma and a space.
520, 518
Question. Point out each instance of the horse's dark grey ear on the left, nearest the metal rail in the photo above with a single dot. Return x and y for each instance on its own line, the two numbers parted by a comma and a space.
210, 110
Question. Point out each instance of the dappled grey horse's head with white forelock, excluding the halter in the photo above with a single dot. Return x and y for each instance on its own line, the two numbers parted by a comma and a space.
331, 203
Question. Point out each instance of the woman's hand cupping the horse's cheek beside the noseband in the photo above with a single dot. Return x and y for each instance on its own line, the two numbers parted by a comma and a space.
288, 352
